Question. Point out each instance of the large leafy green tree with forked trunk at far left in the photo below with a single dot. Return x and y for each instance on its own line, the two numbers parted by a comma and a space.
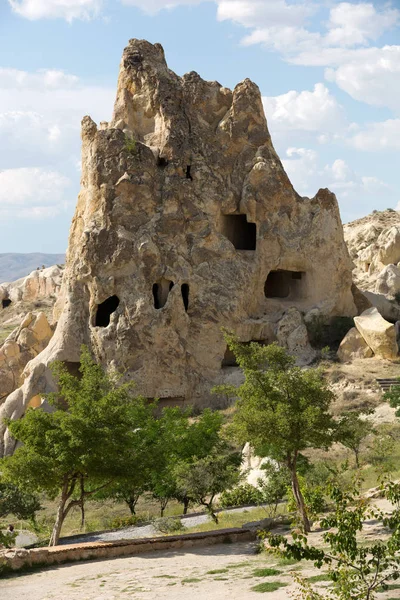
83, 445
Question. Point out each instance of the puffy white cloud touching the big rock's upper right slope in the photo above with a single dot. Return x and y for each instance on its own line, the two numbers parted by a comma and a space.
315, 110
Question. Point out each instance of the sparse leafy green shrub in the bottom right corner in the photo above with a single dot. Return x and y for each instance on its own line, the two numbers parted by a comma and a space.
358, 568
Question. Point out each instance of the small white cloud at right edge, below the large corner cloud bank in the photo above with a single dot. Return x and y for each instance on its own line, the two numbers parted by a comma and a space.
378, 136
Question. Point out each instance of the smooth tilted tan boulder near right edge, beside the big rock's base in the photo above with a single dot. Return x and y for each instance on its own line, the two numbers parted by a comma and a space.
379, 334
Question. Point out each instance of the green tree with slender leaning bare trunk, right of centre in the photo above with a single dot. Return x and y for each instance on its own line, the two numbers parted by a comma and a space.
281, 409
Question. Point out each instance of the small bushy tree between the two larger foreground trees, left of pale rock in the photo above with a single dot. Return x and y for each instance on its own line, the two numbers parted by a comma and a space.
203, 478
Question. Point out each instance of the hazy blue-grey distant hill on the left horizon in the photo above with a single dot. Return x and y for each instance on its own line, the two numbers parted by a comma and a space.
14, 266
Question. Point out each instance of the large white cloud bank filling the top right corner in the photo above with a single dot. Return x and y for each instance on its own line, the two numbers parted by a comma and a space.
368, 74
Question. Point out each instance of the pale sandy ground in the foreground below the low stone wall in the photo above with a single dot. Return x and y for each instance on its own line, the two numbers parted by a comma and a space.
162, 575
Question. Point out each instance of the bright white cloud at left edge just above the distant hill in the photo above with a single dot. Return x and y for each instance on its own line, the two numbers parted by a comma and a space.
32, 192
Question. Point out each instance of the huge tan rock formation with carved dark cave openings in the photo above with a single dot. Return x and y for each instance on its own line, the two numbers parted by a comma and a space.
187, 222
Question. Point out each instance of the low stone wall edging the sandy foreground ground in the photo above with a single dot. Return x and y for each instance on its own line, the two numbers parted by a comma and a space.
17, 559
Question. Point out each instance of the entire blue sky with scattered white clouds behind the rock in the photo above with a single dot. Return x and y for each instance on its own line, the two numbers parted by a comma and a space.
329, 74
